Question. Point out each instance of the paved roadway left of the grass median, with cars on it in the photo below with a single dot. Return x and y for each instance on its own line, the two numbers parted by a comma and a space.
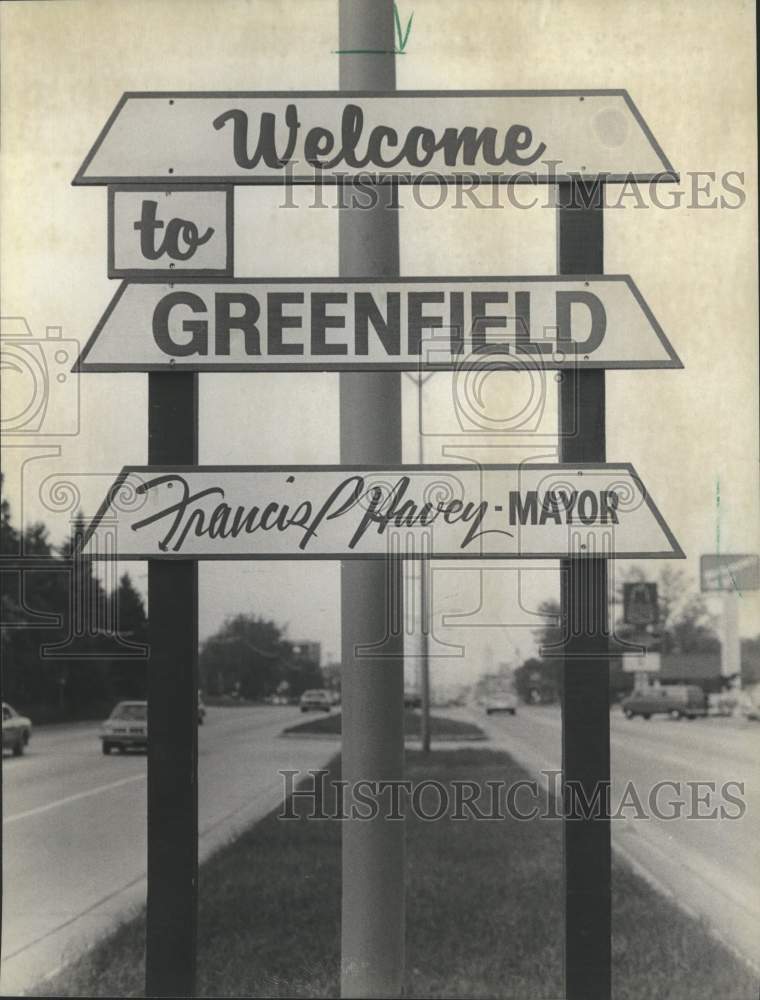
74, 826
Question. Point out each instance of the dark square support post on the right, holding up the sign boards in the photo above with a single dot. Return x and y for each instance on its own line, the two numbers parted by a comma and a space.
585, 697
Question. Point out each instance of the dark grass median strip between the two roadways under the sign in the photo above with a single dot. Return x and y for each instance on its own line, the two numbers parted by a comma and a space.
484, 914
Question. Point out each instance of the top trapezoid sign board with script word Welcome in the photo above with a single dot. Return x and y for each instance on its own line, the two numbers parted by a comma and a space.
337, 136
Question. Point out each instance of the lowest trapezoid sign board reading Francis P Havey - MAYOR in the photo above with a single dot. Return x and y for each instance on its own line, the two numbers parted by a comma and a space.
345, 512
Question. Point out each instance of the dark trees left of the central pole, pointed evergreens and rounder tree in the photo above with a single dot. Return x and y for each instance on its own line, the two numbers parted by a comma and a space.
71, 647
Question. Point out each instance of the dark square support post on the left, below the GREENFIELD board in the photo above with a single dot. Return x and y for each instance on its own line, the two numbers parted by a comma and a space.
172, 716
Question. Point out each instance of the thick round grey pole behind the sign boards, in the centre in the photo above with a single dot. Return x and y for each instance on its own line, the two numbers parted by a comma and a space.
373, 687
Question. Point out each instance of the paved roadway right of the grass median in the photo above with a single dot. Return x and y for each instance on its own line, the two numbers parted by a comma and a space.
710, 865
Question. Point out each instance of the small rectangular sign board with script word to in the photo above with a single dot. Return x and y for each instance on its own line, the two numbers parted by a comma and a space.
162, 232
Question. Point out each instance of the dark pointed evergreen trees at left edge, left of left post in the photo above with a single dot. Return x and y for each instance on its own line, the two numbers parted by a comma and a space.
70, 647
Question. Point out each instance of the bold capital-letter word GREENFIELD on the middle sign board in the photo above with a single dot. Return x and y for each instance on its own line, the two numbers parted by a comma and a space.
333, 321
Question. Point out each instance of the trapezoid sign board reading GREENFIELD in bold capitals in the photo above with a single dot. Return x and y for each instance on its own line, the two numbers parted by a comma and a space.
334, 324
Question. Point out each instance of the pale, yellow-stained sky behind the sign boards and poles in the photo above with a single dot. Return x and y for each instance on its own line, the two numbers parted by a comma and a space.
691, 434
